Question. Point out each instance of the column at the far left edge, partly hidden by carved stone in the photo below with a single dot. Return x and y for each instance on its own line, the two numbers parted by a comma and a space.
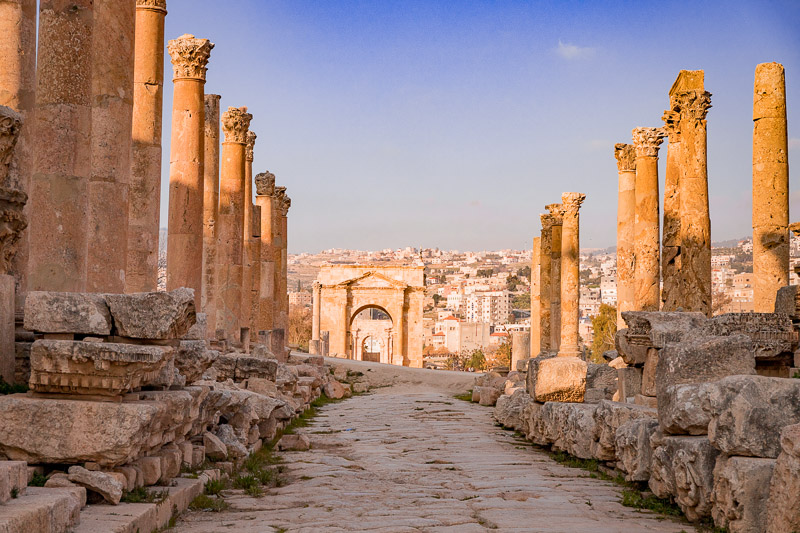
18, 92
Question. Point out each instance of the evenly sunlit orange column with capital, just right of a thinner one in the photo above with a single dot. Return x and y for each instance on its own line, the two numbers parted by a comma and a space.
646, 224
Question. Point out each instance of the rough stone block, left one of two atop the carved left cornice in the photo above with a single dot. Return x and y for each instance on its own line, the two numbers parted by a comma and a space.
67, 312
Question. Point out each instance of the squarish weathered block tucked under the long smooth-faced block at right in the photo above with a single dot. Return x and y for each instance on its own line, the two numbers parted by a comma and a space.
686, 409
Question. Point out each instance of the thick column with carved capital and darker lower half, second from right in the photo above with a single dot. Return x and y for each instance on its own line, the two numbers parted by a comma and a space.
695, 227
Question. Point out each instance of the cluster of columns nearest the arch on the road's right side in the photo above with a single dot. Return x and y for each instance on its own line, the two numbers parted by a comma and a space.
555, 276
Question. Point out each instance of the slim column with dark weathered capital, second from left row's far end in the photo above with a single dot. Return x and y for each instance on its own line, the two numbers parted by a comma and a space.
265, 199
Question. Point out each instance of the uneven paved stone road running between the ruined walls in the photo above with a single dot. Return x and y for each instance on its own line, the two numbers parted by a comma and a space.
396, 462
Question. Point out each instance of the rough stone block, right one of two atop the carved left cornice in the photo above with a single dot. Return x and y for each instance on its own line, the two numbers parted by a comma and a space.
153, 315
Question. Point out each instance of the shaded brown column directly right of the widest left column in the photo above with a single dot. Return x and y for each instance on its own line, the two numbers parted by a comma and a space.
112, 116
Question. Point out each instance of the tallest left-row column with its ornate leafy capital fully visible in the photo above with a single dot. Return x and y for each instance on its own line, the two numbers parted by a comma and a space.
185, 227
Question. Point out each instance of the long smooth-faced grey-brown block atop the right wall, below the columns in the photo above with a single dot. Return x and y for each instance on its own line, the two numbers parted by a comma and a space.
702, 358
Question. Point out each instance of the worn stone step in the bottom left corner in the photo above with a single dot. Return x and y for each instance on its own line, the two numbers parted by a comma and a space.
43, 510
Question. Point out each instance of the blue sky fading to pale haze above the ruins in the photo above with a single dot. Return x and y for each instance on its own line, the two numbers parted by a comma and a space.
452, 124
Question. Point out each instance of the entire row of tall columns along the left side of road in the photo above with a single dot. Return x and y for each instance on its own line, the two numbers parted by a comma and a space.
95, 88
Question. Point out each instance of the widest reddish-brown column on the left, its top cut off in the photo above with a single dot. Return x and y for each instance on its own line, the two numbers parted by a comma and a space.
59, 188
